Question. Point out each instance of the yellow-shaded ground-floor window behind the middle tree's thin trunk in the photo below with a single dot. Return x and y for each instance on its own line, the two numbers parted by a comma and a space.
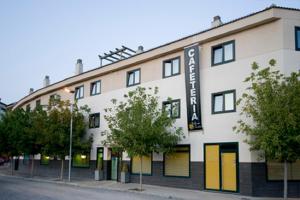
136, 163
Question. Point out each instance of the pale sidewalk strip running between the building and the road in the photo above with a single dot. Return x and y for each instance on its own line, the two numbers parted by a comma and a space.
166, 192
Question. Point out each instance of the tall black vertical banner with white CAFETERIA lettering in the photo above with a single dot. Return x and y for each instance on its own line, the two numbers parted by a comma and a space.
192, 83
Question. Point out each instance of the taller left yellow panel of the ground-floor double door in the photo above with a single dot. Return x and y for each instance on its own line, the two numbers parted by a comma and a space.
212, 167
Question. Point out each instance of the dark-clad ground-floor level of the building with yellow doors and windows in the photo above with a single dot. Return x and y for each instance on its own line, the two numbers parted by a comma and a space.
220, 171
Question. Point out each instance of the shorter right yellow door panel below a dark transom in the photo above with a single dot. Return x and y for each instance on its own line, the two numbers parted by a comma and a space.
229, 171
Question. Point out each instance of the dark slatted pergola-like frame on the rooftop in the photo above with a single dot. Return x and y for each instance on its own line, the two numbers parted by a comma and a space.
117, 55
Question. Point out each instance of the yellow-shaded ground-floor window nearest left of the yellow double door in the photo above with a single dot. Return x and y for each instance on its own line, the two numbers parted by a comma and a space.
177, 163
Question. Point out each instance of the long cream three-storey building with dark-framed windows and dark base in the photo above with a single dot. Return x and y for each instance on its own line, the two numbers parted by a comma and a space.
203, 74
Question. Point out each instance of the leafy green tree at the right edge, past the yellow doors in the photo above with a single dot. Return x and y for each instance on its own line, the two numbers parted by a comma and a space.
271, 107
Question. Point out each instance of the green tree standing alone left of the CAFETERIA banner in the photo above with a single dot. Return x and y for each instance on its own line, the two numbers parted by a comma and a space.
139, 127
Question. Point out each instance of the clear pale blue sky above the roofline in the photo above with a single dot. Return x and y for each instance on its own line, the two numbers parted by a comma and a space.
39, 38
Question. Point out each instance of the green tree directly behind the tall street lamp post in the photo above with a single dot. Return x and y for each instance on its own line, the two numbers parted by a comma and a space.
57, 140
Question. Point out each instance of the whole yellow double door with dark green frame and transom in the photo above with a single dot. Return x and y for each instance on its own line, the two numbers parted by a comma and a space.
221, 166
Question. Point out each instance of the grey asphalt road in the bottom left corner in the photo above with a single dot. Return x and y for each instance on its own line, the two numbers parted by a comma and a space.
18, 189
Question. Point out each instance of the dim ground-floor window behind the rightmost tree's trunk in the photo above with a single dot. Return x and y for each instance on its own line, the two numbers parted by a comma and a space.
275, 170
